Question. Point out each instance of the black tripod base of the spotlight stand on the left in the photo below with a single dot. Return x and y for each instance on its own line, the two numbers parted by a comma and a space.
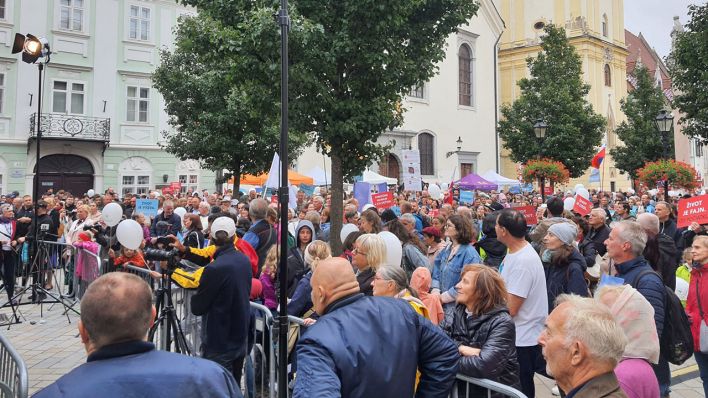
40, 264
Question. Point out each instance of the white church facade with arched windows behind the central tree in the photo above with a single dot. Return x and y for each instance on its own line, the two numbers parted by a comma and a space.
459, 102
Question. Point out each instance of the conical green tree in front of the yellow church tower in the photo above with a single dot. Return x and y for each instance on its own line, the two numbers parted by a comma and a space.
556, 93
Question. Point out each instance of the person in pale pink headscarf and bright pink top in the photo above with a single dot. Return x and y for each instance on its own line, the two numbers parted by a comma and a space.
636, 317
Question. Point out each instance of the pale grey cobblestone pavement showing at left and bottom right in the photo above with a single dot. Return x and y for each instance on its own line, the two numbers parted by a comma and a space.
52, 348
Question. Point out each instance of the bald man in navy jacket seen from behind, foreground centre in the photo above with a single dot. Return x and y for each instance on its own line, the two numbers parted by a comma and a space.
351, 350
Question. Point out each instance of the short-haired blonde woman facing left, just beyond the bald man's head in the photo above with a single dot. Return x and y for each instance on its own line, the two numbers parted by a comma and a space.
368, 255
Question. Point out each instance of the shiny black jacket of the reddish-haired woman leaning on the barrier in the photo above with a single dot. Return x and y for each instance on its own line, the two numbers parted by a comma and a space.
495, 334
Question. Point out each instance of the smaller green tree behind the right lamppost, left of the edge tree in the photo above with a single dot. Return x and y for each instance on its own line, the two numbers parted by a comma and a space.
642, 141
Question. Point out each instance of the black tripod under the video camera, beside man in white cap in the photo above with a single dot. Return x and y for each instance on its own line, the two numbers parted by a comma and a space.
167, 323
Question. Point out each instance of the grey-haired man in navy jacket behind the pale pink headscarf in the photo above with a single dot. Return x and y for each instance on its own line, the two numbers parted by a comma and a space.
625, 246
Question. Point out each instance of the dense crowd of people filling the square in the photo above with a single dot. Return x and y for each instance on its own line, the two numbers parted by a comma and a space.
421, 291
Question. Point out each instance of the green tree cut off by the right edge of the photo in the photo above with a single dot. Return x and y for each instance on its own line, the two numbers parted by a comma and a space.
688, 64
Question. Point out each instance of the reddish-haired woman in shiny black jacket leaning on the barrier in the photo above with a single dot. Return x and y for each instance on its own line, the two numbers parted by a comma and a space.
483, 328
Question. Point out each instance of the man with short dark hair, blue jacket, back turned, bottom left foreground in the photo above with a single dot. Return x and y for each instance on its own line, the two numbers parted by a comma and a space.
116, 313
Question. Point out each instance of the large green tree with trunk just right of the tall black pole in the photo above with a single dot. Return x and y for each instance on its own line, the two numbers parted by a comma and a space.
351, 69
